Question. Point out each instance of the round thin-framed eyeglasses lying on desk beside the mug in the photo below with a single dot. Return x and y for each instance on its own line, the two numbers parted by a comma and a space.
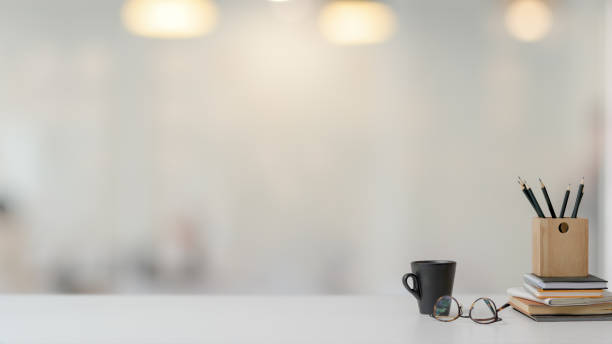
482, 311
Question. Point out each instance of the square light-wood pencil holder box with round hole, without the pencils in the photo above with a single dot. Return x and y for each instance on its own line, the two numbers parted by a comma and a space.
560, 247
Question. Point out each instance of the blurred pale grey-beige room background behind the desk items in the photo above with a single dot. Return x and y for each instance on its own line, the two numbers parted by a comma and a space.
298, 146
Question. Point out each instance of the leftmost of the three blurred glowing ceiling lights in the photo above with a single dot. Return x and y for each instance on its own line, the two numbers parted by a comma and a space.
169, 18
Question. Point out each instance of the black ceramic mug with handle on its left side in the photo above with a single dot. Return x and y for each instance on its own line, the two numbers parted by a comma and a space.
430, 280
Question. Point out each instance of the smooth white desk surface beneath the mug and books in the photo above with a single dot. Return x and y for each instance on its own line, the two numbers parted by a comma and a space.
265, 319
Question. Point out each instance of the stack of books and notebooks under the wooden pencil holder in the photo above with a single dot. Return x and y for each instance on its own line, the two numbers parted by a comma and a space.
562, 298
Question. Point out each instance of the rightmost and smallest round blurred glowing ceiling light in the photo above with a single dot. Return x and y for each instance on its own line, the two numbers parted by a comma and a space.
528, 20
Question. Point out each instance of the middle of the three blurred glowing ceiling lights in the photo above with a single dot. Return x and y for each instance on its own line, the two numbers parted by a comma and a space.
356, 22
